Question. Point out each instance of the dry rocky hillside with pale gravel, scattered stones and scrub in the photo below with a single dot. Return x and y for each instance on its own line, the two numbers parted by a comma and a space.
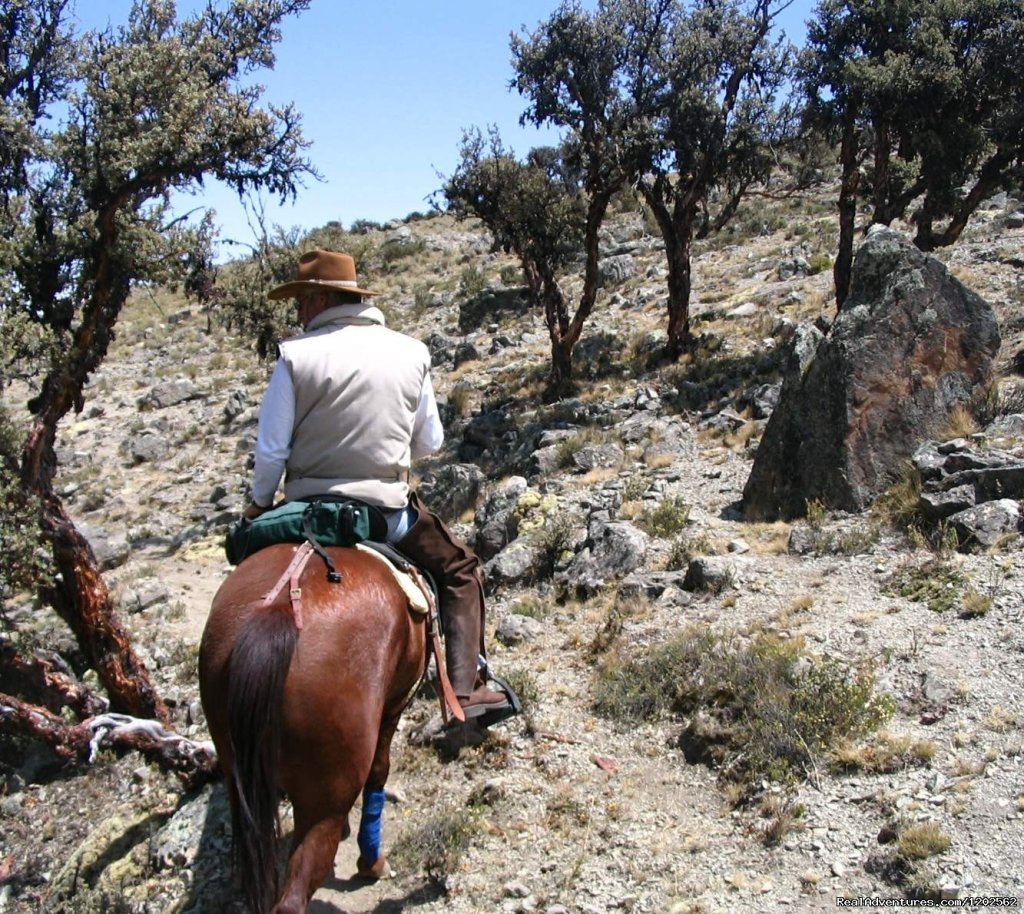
615, 555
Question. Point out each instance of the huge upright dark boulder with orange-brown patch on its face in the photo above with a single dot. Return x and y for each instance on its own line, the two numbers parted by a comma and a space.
911, 344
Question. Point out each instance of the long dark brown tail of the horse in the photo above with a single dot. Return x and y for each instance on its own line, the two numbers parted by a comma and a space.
258, 670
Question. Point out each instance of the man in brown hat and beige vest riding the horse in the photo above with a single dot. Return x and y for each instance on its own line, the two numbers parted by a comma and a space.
350, 406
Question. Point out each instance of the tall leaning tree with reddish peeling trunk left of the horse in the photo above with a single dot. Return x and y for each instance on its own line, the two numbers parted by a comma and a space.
138, 112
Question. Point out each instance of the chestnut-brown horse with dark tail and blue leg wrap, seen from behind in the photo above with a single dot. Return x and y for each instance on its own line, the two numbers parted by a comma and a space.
307, 711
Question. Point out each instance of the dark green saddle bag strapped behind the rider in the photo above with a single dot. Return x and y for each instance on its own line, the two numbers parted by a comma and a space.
327, 521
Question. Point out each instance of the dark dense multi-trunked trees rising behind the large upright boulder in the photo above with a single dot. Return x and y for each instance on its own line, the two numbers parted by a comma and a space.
926, 104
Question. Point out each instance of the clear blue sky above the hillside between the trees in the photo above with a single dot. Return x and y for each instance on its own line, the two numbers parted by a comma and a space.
386, 91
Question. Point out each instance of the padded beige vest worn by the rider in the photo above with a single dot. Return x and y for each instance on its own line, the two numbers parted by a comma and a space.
358, 387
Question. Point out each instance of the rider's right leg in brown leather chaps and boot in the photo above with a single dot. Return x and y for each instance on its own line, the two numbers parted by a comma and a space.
455, 570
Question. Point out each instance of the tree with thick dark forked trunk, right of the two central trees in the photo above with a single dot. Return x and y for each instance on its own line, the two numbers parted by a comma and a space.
719, 76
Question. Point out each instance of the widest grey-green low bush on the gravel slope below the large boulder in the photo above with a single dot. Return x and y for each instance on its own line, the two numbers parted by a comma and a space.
757, 709
